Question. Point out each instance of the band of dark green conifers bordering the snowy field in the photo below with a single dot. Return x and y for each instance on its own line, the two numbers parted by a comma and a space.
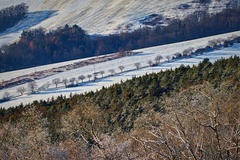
121, 104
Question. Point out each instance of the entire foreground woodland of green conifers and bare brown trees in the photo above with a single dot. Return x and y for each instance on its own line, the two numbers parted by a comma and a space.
186, 113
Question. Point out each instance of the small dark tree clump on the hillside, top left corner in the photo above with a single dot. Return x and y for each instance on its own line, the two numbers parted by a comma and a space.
12, 15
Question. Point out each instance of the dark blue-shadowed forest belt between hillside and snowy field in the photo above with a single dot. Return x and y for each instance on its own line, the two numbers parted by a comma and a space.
39, 47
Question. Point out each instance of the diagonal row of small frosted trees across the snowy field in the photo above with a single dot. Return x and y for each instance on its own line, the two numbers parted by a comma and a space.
214, 44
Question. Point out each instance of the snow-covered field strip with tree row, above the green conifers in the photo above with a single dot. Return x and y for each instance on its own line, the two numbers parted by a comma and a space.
128, 62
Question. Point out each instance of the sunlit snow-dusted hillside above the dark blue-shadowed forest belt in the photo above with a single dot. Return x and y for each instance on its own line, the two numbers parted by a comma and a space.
104, 16
